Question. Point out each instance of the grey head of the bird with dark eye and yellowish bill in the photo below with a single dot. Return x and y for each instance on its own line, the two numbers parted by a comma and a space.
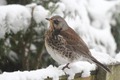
57, 22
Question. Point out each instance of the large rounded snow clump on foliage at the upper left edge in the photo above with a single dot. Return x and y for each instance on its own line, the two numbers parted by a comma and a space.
12, 15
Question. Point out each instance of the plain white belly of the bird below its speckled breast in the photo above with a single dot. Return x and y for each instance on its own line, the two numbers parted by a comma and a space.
56, 56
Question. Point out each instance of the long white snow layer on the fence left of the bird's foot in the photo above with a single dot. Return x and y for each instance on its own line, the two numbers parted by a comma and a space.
39, 74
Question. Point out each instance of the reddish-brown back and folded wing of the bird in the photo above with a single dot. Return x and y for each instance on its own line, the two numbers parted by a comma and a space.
74, 42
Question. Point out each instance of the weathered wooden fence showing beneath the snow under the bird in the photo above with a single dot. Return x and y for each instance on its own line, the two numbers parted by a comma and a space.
99, 74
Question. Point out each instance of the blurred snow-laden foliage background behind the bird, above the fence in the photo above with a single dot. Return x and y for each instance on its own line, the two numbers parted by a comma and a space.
23, 25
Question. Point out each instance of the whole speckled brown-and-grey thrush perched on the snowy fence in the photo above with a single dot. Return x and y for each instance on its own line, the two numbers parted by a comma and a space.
65, 46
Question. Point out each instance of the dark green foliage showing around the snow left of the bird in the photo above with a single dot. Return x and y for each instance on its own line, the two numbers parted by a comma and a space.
25, 50
